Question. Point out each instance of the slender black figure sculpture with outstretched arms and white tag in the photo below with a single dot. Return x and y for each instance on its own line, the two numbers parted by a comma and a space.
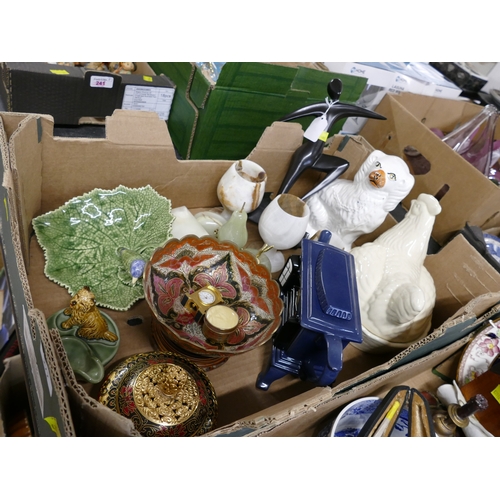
310, 154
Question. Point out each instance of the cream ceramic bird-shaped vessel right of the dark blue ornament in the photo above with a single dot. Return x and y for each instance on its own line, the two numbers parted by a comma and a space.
396, 292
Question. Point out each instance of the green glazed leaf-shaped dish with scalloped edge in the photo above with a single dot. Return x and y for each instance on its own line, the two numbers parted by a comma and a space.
83, 241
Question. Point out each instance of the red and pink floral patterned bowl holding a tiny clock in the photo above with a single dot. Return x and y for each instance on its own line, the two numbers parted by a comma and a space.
184, 266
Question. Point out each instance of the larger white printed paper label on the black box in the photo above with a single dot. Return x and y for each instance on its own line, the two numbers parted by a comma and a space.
143, 98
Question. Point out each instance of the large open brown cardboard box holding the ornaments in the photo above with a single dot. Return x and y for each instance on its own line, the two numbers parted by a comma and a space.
41, 172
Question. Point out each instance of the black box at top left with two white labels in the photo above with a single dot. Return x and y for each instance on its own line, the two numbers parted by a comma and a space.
73, 95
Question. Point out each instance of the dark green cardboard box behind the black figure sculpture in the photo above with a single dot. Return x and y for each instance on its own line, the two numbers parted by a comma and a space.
225, 119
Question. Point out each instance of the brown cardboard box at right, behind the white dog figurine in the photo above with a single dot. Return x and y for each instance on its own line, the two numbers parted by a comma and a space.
468, 195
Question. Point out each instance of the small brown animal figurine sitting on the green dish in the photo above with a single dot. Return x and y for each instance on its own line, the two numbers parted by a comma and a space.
83, 313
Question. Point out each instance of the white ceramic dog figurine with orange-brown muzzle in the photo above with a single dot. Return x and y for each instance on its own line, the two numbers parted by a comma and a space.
349, 209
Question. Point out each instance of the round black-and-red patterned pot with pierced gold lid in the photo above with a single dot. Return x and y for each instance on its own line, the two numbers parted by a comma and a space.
163, 394
